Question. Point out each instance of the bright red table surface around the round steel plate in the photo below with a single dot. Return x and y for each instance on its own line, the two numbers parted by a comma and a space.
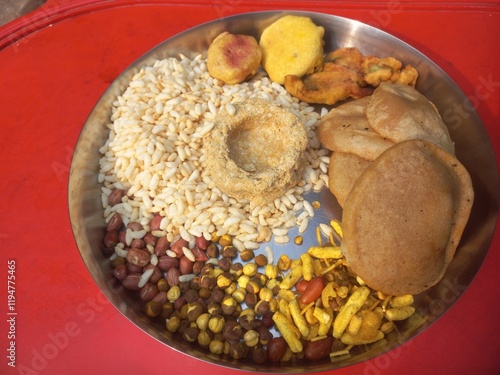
57, 62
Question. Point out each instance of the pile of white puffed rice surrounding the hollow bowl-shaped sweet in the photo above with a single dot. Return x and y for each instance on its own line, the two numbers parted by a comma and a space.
154, 151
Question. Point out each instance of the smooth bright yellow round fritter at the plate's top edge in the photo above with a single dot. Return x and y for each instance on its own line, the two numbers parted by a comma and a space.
292, 45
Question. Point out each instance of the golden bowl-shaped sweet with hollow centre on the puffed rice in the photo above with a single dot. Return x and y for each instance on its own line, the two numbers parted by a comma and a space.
257, 153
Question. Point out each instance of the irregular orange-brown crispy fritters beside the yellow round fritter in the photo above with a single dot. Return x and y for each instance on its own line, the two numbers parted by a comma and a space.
348, 74
